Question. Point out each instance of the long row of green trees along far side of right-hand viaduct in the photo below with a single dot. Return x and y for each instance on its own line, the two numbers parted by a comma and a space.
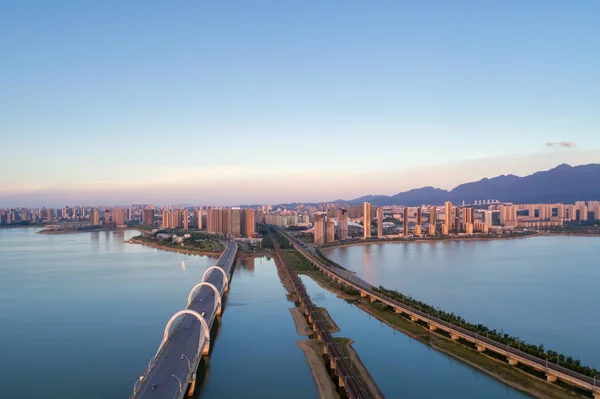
498, 336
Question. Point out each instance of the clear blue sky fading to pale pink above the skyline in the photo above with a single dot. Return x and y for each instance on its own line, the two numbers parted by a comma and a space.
238, 102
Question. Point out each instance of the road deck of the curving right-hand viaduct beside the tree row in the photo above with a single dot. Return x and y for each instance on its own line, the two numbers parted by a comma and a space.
567, 375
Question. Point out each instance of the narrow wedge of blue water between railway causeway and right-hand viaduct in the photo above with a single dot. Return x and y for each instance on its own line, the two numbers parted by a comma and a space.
401, 366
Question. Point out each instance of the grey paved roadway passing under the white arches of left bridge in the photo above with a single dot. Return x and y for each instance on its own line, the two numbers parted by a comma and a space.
184, 339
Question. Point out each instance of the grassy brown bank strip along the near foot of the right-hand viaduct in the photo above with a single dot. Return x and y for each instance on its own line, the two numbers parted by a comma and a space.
509, 375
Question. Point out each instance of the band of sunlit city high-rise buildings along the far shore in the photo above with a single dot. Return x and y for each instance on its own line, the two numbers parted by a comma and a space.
328, 222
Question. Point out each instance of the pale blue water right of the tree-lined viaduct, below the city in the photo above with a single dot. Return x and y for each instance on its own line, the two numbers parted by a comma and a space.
542, 289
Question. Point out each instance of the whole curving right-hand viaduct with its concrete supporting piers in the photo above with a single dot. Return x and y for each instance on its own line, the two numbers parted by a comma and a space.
514, 356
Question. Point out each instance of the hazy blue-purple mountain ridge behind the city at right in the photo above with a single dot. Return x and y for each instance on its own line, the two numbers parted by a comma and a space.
563, 183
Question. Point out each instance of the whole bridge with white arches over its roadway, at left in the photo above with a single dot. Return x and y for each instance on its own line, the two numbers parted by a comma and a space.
171, 373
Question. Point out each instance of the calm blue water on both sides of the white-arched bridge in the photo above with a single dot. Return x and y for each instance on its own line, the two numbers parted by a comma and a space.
81, 315
